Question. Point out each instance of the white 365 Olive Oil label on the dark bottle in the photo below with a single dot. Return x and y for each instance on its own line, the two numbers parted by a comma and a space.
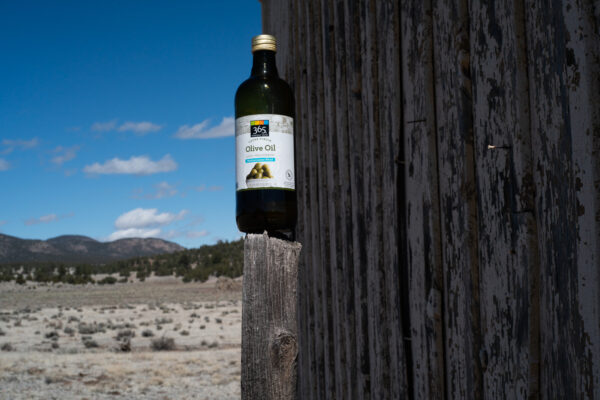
264, 152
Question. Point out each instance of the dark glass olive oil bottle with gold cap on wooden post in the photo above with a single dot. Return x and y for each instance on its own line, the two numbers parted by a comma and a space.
264, 137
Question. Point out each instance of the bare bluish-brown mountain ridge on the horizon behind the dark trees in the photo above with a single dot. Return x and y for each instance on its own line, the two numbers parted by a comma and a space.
79, 249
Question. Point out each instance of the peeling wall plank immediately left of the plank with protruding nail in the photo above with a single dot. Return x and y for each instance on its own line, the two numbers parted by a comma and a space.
458, 198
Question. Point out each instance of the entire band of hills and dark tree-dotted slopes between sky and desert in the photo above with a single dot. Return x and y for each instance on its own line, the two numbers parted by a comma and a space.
62, 260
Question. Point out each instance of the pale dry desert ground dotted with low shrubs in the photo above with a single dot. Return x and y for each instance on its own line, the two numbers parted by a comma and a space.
158, 339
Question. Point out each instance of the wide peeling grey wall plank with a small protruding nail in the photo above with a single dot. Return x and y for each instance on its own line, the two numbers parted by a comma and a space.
502, 135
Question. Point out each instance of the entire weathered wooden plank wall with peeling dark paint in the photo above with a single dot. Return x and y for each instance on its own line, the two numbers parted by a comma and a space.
448, 175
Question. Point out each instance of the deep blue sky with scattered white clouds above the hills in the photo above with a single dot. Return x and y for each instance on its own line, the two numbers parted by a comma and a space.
116, 117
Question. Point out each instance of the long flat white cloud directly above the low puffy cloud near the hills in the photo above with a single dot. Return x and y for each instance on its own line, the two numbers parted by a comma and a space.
140, 165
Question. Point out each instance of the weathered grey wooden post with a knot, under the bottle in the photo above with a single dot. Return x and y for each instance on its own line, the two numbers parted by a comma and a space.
269, 322
